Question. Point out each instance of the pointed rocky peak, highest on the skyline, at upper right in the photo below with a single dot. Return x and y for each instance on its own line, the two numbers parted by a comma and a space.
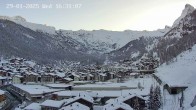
187, 10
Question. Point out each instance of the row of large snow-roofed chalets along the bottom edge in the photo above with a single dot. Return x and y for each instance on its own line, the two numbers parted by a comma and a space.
89, 101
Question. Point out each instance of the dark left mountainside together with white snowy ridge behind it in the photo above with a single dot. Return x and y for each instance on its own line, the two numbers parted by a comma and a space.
45, 44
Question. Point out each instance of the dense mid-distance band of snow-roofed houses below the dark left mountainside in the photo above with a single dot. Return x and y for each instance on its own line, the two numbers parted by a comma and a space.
19, 70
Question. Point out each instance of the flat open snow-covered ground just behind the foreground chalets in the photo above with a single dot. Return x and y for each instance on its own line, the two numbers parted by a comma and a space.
145, 82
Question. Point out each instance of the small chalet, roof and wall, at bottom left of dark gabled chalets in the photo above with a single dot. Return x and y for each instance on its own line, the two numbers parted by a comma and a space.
51, 105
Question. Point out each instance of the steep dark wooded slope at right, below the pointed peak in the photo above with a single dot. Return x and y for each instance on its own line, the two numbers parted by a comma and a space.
178, 39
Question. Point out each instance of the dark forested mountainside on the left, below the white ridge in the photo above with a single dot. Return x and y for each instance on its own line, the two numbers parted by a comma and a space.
23, 42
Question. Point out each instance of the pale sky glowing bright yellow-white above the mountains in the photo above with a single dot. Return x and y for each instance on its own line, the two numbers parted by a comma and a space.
115, 15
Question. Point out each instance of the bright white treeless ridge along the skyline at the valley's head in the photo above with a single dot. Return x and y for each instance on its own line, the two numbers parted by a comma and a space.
101, 41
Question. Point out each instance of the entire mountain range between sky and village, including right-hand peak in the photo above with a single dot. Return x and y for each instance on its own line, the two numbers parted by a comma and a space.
46, 44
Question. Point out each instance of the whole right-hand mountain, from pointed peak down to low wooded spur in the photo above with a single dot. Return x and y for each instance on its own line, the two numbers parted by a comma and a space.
179, 38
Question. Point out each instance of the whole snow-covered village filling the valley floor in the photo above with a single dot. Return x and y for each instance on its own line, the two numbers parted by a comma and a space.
122, 86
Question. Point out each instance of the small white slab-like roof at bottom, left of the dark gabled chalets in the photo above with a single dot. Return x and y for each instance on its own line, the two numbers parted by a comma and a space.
52, 103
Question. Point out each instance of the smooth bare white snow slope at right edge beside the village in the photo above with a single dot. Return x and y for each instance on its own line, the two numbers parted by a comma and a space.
181, 72
